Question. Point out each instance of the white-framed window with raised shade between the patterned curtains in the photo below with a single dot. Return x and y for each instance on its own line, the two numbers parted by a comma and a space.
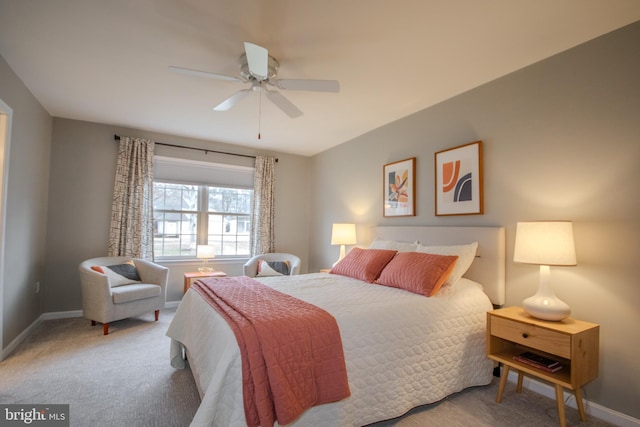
198, 202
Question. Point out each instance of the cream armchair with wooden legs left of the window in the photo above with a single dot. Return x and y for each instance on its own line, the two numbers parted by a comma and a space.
105, 301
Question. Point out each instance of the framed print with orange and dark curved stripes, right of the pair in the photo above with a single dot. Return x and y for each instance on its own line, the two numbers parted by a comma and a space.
459, 181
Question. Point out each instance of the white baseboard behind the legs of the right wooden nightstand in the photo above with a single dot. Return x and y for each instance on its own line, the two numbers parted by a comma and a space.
591, 408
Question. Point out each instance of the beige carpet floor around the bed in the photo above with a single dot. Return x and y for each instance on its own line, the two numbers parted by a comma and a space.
124, 379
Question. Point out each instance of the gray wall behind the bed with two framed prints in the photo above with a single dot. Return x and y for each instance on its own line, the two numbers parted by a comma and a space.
561, 141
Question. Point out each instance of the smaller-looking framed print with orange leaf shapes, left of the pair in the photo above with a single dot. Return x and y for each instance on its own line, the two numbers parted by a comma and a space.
399, 188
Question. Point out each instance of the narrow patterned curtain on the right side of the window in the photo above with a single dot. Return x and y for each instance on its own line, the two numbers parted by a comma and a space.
262, 215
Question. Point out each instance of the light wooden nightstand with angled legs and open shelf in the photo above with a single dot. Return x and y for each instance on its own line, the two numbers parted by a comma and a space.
573, 343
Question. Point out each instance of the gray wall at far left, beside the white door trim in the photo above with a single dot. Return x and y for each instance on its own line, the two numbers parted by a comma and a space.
26, 208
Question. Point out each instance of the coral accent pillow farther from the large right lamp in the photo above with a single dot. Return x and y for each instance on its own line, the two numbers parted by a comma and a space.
363, 264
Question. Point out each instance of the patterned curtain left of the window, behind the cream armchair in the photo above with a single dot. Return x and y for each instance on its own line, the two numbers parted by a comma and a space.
131, 231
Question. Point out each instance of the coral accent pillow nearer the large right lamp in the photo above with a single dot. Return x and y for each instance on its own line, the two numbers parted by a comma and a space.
416, 272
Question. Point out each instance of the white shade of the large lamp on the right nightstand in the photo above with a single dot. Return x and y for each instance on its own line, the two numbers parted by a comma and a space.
545, 243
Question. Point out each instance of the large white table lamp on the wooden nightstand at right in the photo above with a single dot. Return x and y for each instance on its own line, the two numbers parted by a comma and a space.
545, 243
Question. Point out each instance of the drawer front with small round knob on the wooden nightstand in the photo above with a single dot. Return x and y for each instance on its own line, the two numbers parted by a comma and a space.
543, 339
